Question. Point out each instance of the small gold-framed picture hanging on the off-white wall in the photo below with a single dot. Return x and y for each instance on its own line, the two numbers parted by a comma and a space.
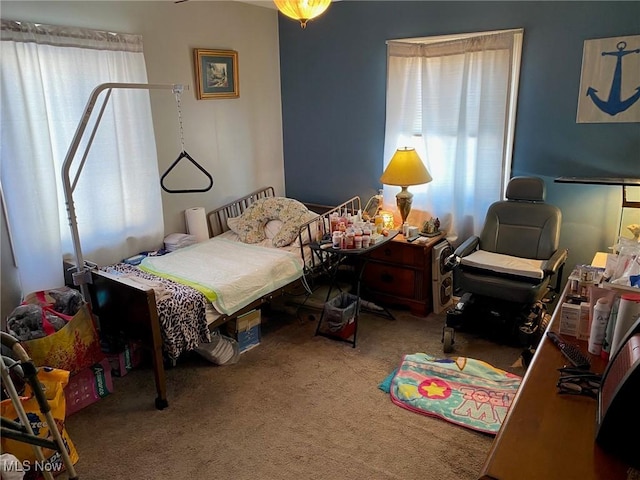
216, 73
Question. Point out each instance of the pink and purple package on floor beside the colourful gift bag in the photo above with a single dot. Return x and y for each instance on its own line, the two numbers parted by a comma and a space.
88, 386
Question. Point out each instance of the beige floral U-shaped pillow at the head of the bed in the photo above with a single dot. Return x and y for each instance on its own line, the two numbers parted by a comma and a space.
250, 226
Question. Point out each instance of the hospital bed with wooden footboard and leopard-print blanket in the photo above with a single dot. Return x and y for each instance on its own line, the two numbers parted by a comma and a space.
159, 306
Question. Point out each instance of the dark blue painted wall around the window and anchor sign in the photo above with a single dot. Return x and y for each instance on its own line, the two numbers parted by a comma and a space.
333, 101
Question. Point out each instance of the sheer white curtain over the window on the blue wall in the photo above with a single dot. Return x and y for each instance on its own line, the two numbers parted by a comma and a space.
453, 99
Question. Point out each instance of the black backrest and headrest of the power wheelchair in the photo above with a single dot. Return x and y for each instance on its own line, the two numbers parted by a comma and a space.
523, 225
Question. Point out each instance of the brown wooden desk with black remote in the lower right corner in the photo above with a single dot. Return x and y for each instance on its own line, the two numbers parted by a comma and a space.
547, 435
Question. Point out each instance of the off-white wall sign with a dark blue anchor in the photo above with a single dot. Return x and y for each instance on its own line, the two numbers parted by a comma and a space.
610, 81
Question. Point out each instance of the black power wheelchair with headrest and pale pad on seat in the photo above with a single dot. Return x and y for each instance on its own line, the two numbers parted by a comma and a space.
504, 274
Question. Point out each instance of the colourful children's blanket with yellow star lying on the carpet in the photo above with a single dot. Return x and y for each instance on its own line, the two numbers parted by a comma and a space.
460, 390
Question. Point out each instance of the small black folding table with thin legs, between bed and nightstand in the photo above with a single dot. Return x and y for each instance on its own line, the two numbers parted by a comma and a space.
342, 254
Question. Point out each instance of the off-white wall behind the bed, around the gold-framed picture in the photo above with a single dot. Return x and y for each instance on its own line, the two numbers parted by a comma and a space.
239, 141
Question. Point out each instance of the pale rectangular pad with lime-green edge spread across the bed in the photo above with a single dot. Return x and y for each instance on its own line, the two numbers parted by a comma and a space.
230, 274
